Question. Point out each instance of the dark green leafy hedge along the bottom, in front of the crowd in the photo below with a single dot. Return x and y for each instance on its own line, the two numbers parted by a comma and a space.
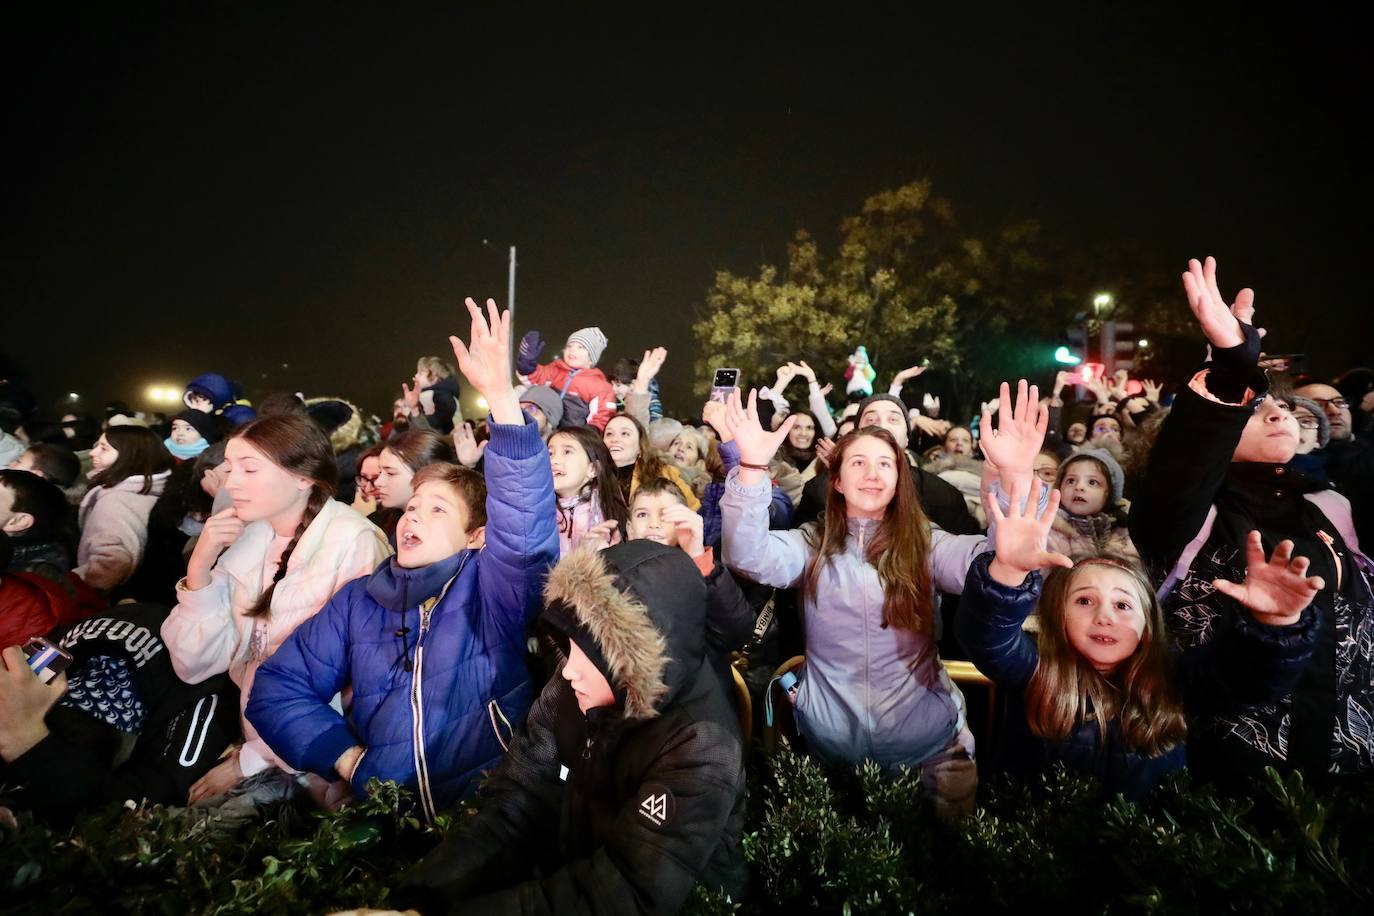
857, 844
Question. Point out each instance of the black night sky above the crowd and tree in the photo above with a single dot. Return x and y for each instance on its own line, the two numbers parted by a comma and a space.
236, 187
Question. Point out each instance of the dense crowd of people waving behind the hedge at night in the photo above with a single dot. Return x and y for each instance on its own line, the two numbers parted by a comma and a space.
565, 605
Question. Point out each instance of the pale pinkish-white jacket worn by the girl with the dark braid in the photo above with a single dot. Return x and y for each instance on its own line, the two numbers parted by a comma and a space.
210, 631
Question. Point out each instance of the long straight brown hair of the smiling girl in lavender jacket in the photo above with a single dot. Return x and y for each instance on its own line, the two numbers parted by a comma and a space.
899, 550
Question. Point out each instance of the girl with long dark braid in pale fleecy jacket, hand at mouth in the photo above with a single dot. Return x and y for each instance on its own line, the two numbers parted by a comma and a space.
264, 566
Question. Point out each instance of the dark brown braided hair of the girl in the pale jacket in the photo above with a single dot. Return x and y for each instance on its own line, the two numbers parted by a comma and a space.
296, 446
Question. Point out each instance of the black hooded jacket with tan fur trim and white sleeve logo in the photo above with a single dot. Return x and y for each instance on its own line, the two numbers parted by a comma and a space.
627, 807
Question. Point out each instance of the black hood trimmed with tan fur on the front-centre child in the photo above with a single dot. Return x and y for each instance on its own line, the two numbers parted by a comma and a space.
638, 610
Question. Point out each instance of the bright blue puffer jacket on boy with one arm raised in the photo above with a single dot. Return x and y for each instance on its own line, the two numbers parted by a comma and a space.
438, 691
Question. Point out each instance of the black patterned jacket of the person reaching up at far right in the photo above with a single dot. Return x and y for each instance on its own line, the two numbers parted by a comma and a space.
1191, 524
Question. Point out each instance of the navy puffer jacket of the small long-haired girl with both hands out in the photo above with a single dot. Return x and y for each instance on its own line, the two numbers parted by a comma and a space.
1252, 665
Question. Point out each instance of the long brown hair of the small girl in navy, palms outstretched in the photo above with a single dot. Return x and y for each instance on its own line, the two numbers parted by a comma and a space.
1138, 696
